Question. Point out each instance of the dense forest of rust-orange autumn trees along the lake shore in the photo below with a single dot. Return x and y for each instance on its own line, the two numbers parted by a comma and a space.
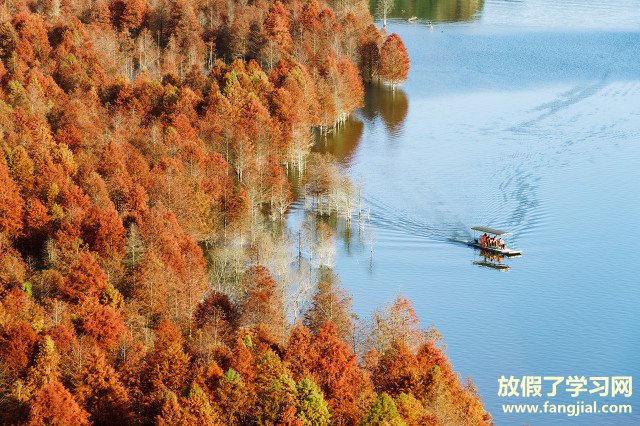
150, 152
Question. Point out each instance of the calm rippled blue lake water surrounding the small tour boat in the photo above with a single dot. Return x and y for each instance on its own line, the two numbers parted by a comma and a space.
526, 117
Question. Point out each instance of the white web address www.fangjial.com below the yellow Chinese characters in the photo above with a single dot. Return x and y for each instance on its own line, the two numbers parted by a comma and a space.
571, 410
